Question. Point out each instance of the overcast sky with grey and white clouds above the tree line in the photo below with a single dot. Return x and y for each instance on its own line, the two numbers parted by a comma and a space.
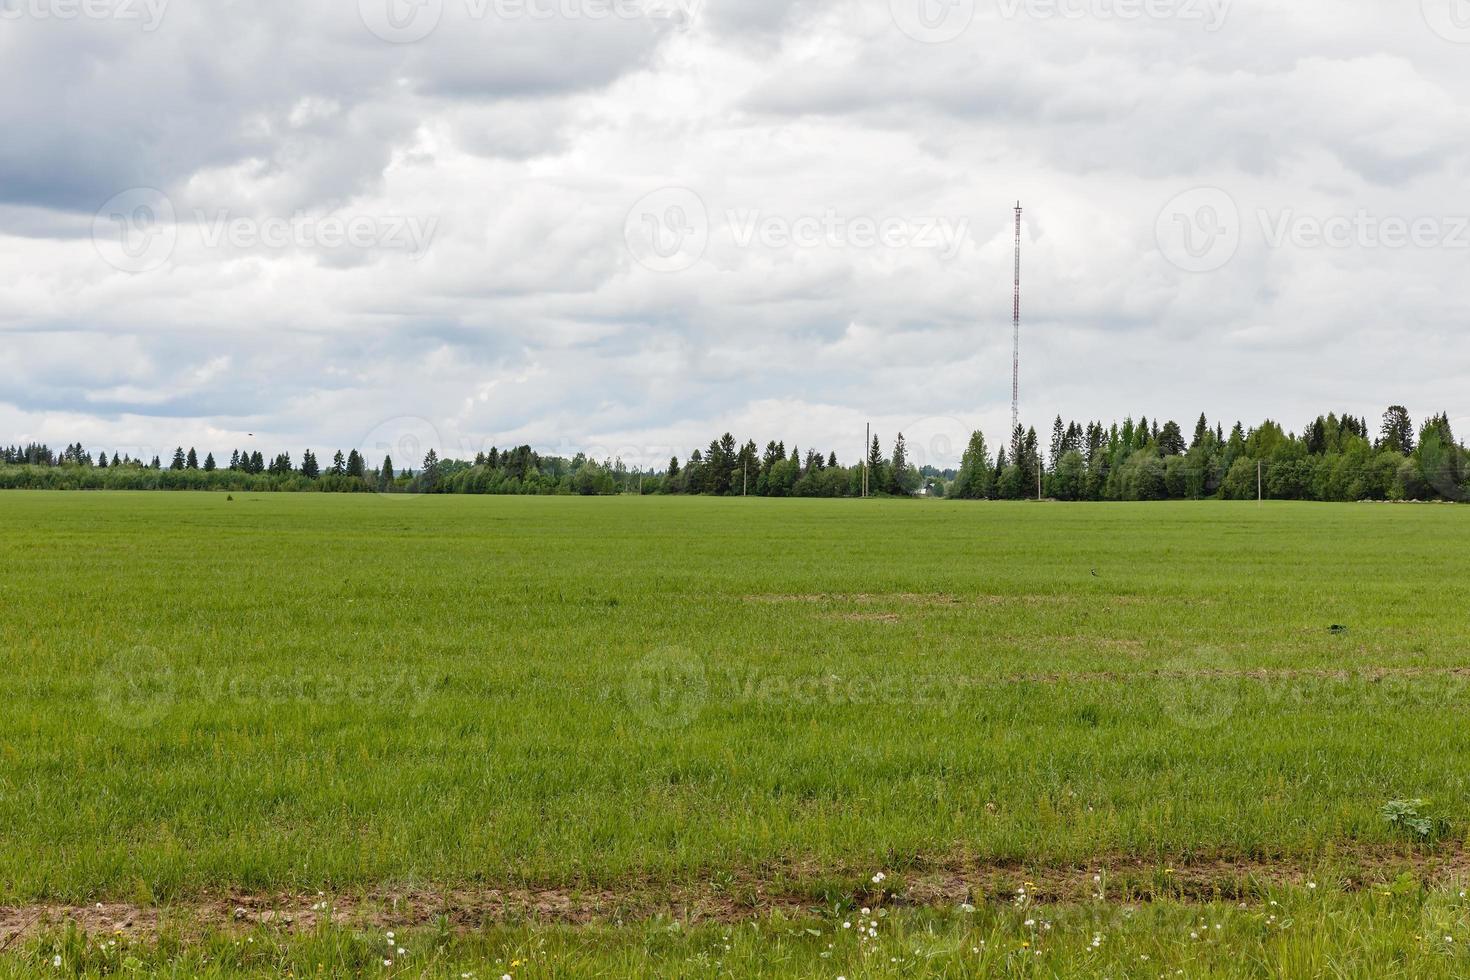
631, 226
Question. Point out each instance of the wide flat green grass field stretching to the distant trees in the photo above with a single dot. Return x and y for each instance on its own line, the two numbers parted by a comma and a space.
618, 731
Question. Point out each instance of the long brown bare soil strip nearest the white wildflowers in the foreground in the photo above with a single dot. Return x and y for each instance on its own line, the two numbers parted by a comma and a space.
800, 891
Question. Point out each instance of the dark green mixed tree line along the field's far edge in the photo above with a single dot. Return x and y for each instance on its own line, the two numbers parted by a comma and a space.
1334, 459
